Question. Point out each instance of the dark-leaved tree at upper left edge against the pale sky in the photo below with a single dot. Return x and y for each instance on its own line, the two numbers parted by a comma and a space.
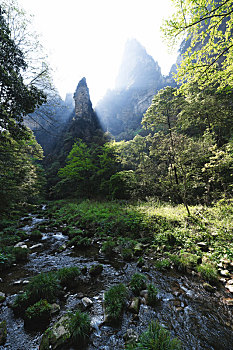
16, 98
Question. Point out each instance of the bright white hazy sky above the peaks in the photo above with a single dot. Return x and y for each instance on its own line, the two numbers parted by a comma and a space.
87, 38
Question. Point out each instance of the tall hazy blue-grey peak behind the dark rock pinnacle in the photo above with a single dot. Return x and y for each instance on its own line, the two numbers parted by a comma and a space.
121, 110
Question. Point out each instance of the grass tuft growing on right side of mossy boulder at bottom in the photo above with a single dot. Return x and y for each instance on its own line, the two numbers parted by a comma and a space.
79, 326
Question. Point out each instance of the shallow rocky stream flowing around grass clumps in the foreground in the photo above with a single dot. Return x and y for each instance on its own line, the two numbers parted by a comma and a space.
200, 319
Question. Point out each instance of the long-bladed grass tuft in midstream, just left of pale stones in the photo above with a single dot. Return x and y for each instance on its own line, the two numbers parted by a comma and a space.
114, 301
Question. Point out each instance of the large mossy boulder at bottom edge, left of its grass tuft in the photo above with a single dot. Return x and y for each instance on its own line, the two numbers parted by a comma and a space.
57, 336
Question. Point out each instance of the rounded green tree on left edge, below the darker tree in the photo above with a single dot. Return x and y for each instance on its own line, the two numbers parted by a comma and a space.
20, 176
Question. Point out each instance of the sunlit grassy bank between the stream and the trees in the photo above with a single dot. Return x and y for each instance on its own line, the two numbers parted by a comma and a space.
202, 242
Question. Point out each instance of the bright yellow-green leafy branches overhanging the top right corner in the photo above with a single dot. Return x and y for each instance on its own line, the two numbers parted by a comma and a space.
207, 27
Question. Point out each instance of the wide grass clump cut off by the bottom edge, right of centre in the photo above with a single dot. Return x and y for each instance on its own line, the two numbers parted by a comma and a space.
156, 338
